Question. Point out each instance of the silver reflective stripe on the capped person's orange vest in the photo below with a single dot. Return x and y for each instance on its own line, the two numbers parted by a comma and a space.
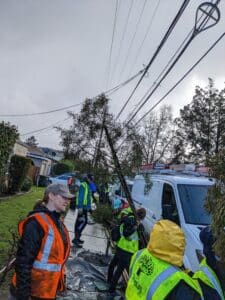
43, 264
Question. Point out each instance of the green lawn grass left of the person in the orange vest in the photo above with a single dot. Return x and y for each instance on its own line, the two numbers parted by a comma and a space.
12, 210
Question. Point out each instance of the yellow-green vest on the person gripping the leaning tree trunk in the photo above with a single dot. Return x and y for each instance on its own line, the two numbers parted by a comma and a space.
129, 244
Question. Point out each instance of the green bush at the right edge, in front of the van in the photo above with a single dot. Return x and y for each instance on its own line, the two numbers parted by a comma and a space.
215, 203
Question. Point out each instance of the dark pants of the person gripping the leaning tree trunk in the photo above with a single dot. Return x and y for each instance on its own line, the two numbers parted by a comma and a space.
120, 262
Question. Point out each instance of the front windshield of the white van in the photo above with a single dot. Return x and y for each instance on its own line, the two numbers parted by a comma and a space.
192, 200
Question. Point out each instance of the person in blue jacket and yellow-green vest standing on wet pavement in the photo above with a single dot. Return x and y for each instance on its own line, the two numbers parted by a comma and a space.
83, 205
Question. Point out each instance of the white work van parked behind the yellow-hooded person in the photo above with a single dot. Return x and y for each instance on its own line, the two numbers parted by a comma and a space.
179, 198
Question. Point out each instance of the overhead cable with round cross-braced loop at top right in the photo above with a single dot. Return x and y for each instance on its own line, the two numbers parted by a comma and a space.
196, 31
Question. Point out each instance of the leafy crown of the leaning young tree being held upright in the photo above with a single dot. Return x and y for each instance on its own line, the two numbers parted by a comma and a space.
86, 143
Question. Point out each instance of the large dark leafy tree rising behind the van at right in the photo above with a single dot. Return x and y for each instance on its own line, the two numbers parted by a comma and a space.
201, 125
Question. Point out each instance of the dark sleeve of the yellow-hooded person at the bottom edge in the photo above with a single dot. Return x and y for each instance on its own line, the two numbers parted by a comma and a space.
184, 292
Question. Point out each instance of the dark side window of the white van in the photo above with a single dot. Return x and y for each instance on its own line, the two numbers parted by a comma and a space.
169, 208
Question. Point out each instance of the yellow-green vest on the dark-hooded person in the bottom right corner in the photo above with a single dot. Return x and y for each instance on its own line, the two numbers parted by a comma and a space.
208, 276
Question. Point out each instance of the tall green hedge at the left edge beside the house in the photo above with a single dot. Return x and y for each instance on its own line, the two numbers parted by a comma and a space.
8, 137
